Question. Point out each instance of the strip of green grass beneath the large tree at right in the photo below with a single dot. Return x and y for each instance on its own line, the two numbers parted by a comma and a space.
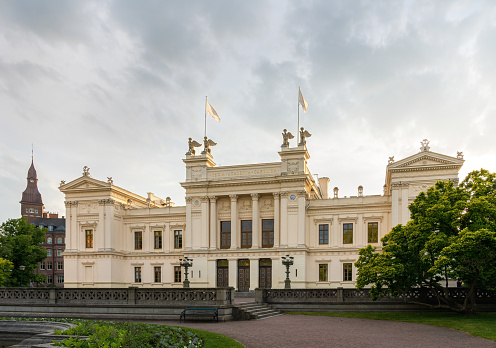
480, 325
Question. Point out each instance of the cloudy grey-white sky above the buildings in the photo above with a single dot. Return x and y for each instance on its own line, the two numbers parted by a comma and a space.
119, 86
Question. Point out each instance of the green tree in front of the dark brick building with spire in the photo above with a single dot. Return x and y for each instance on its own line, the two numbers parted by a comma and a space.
20, 244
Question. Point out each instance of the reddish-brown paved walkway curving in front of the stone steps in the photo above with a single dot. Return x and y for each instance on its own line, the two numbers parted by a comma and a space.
314, 331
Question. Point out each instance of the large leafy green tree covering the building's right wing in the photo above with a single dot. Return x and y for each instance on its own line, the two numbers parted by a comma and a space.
451, 234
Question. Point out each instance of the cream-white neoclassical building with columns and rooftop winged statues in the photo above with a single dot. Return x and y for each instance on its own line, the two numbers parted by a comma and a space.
237, 224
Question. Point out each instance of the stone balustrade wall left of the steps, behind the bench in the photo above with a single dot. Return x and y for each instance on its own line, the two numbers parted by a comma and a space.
124, 303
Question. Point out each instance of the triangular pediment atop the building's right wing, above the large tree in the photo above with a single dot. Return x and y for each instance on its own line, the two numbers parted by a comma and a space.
426, 159
